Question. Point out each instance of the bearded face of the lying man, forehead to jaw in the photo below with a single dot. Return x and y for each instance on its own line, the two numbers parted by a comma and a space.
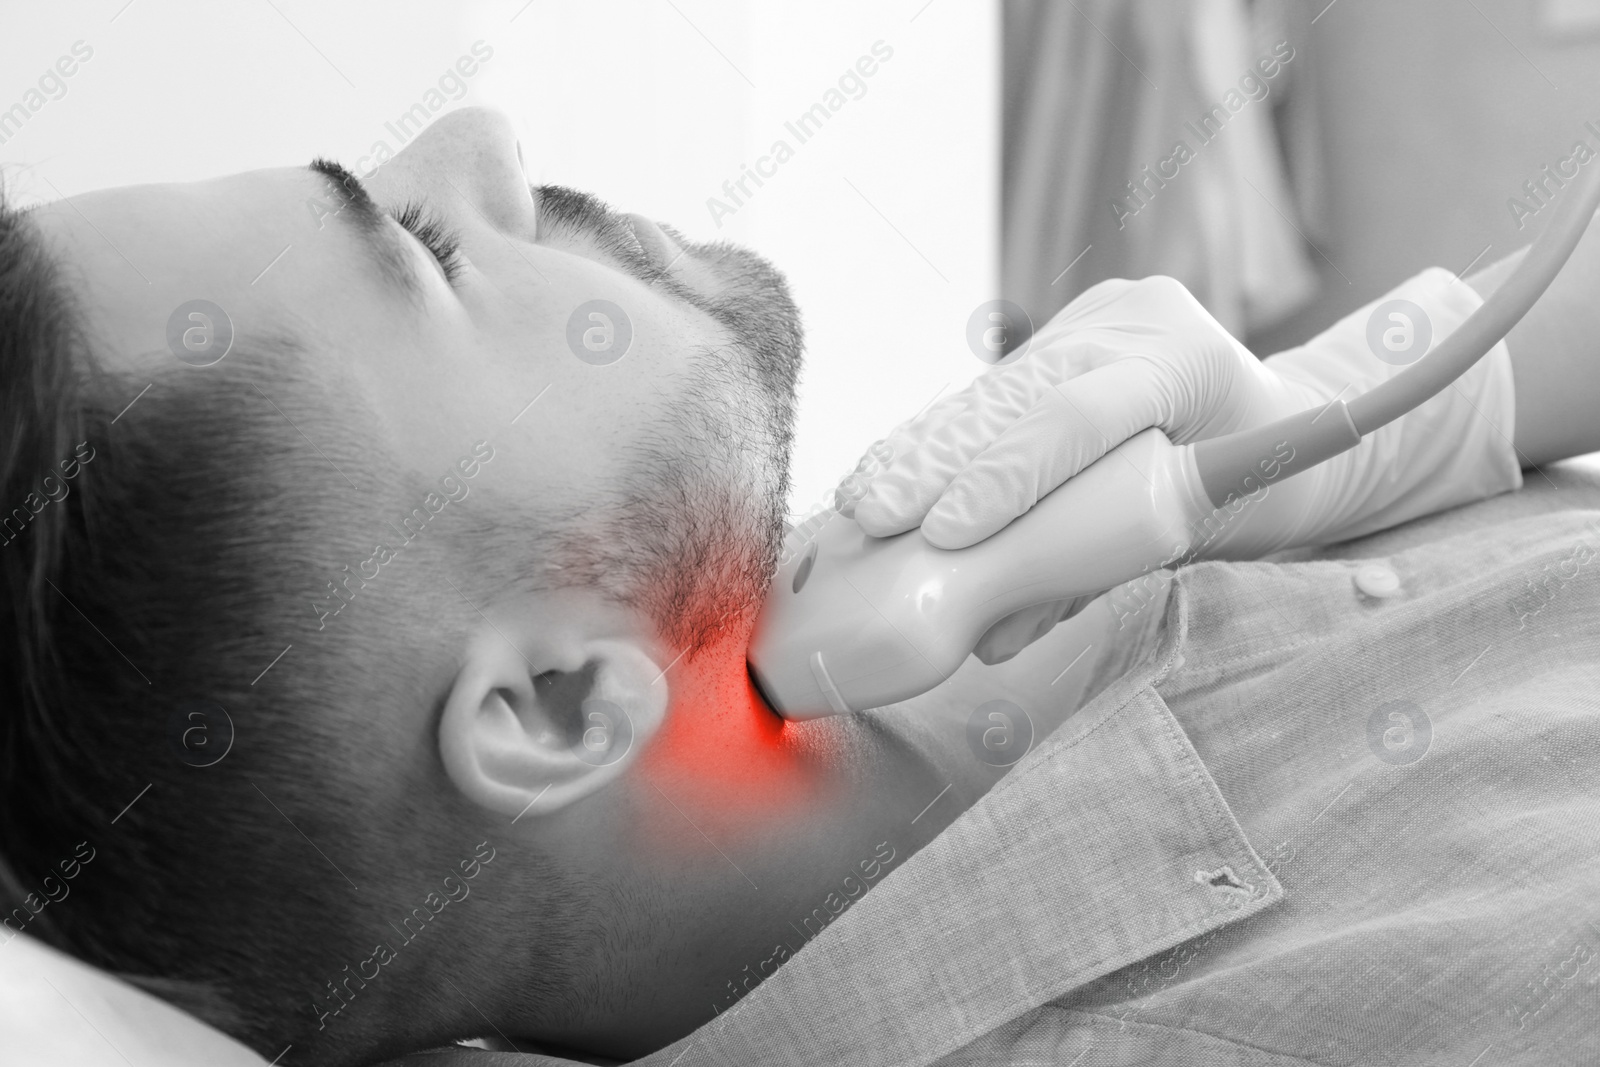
601, 356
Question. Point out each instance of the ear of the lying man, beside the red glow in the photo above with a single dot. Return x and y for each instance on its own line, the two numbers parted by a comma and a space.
548, 708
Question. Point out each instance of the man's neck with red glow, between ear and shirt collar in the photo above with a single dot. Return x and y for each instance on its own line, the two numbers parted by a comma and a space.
730, 833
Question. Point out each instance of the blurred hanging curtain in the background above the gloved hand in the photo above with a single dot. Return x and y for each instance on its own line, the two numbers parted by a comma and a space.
1100, 90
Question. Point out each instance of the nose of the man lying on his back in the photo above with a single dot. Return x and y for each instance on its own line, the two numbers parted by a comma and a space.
466, 166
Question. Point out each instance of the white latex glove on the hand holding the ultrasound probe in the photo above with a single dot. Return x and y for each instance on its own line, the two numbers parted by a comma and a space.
1127, 356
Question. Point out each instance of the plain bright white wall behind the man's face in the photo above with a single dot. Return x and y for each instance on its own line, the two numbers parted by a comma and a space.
884, 222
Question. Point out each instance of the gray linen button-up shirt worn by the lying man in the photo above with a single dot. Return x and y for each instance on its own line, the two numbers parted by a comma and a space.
1297, 825
